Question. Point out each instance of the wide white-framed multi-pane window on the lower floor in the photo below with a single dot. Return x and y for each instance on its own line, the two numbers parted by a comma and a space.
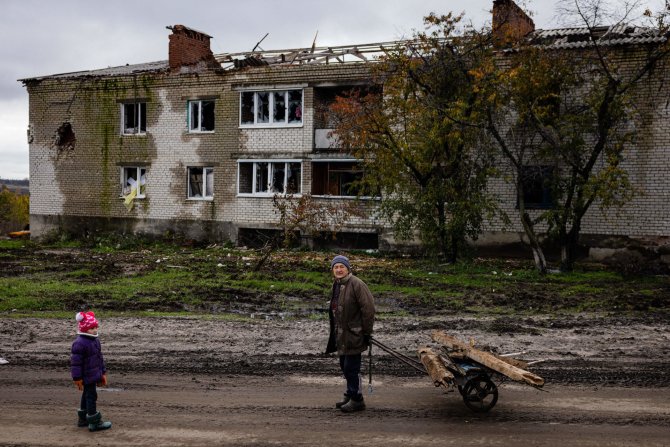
269, 177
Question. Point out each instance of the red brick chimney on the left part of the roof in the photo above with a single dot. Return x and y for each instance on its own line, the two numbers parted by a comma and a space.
189, 47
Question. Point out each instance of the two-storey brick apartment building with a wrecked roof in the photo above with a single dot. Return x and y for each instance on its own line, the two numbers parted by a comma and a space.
198, 145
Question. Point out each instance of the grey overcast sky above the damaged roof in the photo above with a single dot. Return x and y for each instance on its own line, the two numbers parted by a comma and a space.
42, 37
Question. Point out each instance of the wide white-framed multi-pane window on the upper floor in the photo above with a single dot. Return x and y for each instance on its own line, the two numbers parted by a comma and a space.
277, 108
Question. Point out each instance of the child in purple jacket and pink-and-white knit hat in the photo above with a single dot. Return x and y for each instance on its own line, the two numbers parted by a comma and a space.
88, 371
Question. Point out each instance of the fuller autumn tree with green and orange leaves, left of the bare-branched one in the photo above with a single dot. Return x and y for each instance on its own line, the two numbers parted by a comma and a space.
420, 136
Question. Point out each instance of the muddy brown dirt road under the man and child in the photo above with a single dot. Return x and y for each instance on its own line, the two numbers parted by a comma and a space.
200, 382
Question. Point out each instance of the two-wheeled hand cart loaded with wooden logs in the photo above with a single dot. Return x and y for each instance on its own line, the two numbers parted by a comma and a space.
469, 370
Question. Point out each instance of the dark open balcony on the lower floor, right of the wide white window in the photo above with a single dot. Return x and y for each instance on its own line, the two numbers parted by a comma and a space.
338, 178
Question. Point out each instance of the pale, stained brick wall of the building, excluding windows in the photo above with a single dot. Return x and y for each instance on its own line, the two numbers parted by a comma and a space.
86, 181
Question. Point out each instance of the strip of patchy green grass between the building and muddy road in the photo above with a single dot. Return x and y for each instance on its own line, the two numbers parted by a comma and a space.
216, 279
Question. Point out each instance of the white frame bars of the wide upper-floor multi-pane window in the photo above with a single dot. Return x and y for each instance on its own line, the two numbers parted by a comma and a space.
271, 106
